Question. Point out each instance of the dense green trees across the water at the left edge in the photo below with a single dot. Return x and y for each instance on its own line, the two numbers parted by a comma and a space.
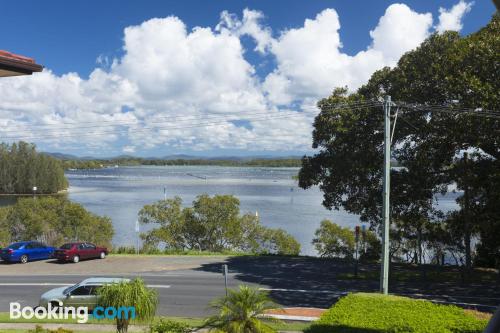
22, 168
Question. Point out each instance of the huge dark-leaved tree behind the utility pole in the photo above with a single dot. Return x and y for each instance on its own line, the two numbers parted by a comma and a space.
436, 151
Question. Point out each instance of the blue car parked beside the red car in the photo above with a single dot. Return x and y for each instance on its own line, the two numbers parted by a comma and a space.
26, 251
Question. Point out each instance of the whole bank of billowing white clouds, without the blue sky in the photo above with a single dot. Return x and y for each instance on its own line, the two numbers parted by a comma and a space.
171, 79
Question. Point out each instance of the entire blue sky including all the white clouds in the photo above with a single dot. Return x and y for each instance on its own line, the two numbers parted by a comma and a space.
207, 78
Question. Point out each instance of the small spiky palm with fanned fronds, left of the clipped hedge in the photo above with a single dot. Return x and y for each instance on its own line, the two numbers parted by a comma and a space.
239, 312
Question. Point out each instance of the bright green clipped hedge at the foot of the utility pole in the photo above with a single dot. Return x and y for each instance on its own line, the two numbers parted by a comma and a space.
363, 312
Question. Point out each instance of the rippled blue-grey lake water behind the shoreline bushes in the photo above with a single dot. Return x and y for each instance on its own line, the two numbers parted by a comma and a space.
121, 192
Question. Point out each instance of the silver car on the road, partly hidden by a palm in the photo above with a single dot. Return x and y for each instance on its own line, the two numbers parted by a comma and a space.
81, 294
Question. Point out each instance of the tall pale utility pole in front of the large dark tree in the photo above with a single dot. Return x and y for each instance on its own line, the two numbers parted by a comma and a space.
384, 271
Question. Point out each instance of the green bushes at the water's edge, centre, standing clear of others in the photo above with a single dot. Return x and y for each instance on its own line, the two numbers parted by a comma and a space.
212, 224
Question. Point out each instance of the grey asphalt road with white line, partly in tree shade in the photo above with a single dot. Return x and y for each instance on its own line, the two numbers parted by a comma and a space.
186, 292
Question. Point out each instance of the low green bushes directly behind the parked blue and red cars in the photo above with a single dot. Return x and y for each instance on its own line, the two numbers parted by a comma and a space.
53, 220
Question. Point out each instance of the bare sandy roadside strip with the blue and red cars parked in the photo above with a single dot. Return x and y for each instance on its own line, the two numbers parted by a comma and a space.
111, 265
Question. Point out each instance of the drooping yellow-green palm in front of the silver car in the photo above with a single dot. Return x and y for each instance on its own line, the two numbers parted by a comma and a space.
126, 294
